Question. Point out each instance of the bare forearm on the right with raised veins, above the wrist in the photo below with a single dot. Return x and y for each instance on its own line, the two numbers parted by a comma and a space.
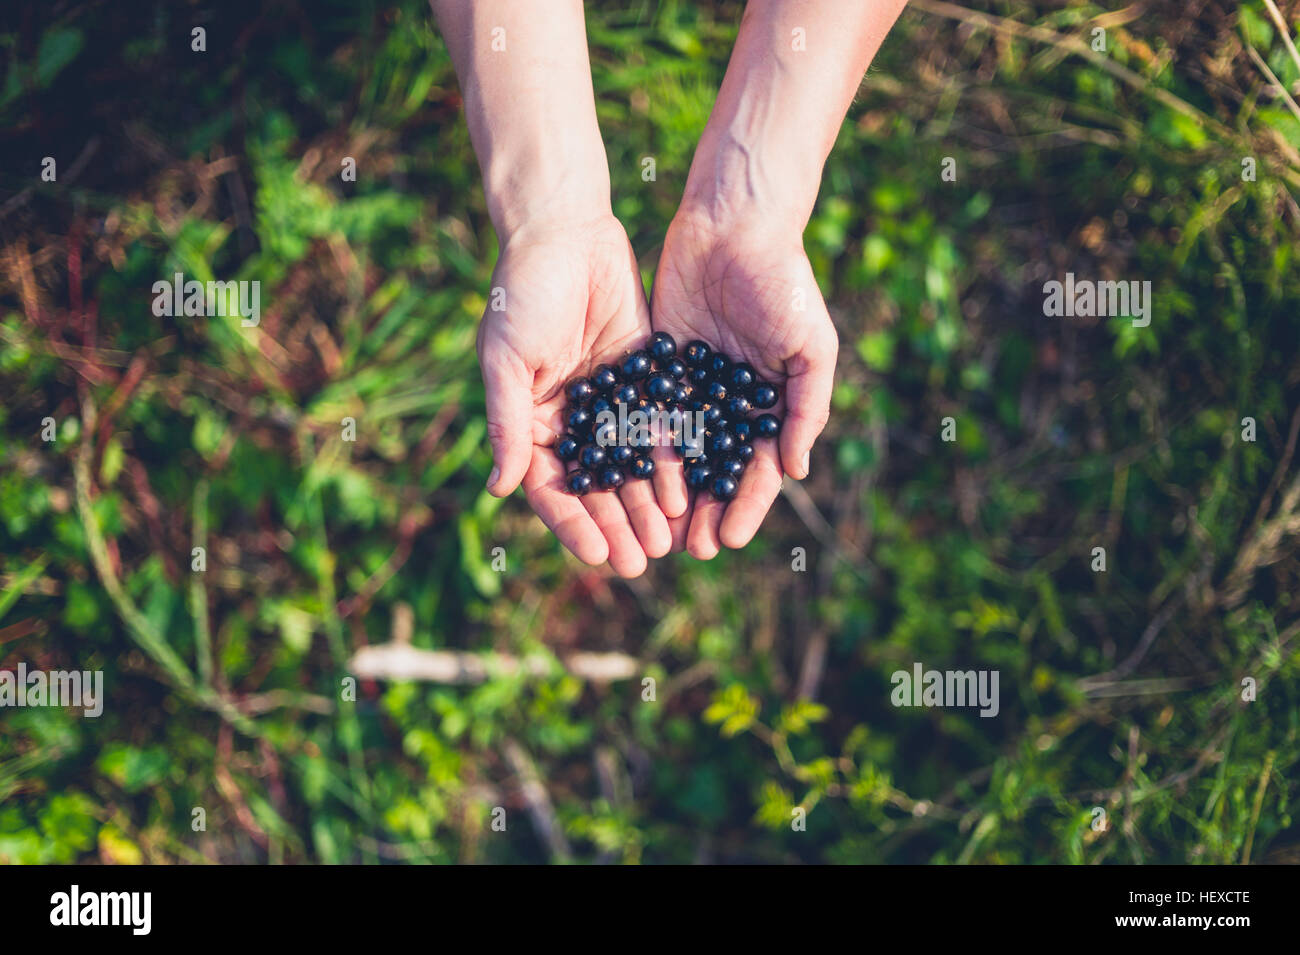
781, 108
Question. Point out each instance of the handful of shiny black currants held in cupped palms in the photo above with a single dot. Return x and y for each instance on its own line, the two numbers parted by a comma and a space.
700, 403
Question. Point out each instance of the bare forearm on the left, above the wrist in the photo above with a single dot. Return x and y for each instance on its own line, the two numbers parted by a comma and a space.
527, 86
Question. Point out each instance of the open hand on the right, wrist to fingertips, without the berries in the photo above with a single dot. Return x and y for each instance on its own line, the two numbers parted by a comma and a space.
739, 288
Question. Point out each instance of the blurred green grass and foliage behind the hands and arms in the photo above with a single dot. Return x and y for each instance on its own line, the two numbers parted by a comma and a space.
1120, 691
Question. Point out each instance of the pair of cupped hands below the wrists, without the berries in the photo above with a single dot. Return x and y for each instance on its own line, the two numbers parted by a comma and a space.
574, 299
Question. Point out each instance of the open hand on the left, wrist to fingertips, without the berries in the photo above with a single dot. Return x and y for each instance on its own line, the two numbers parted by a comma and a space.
574, 299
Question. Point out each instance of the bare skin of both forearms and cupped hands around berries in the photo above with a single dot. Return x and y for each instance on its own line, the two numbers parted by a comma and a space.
733, 272
